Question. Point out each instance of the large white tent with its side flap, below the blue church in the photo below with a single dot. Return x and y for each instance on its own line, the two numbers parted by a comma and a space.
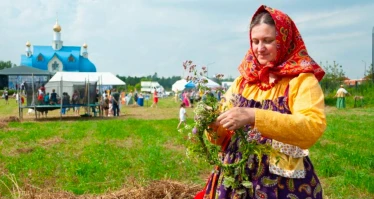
68, 79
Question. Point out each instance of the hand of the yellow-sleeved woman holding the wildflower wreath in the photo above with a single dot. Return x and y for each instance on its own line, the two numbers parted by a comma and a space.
236, 118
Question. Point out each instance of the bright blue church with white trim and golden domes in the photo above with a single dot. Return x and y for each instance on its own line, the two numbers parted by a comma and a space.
56, 57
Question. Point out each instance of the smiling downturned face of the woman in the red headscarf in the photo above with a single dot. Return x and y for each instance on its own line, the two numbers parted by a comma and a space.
264, 44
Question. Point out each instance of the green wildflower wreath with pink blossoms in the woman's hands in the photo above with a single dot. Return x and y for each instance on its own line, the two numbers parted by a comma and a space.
206, 112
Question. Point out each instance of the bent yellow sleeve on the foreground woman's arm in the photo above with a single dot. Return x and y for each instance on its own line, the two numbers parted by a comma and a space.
307, 122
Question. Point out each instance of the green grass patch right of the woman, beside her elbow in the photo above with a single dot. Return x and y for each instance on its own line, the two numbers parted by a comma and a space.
344, 157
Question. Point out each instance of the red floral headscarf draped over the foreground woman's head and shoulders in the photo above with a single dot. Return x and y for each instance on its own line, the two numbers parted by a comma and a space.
292, 57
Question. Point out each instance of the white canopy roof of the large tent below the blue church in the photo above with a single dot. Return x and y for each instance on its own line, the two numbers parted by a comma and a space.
103, 78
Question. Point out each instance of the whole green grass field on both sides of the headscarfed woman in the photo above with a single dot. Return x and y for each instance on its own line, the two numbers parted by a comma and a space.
98, 156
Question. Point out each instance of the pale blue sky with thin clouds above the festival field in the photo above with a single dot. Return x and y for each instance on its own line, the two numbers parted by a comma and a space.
141, 37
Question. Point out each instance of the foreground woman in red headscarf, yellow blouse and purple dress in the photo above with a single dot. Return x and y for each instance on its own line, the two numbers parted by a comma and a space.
278, 96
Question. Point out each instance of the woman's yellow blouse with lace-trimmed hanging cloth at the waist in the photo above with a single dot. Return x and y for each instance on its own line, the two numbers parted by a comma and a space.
291, 134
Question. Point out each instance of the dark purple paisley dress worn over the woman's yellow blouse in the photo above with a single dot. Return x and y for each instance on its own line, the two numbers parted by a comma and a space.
265, 184
